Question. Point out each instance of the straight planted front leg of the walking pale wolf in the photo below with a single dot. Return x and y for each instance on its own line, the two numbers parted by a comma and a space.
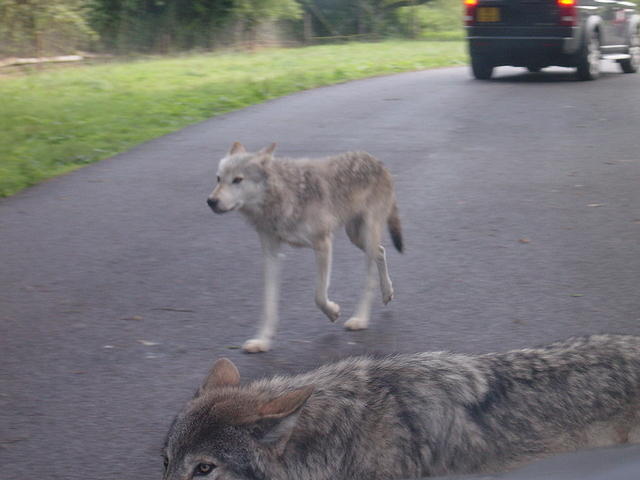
269, 321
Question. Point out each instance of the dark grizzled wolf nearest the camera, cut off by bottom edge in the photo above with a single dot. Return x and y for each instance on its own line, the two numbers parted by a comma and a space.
409, 416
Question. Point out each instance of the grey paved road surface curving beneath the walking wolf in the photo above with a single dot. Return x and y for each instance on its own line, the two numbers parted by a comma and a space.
520, 202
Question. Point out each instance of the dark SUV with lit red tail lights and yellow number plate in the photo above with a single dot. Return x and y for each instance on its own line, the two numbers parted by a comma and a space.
539, 33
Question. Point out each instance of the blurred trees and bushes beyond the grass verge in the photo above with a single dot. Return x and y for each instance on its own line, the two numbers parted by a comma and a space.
48, 27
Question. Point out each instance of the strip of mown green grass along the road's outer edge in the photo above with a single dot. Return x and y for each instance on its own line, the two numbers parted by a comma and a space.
52, 122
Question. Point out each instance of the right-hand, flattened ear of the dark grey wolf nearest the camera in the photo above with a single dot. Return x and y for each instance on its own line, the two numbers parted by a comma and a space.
278, 418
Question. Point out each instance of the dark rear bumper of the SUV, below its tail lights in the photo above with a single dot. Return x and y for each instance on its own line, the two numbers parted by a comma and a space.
525, 46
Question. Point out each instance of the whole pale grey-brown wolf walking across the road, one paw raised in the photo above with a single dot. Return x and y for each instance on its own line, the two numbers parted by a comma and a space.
302, 202
